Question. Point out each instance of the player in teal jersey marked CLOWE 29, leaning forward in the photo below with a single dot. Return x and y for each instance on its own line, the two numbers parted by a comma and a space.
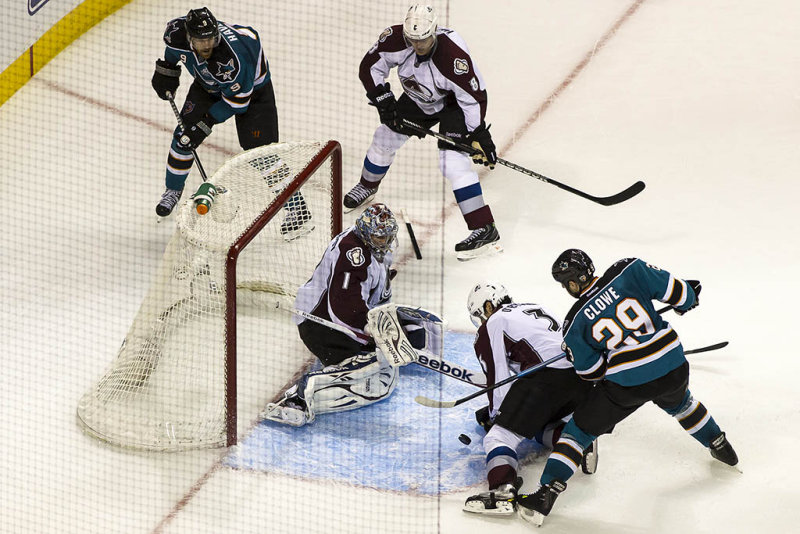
613, 335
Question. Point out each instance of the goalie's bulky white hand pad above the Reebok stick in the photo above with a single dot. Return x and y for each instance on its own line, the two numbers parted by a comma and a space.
401, 333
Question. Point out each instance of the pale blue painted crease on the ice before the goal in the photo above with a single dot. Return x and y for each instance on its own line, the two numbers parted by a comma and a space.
395, 444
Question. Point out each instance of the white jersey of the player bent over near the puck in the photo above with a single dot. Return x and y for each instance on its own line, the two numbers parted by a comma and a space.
516, 337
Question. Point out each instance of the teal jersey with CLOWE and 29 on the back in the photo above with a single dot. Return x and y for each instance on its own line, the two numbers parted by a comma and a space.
613, 330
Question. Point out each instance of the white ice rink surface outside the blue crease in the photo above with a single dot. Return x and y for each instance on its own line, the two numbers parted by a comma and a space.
701, 100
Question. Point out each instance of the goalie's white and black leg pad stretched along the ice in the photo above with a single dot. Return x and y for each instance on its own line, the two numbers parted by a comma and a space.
356, 382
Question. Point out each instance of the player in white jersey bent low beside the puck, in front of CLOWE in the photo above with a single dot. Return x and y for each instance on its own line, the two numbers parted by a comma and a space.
511, 338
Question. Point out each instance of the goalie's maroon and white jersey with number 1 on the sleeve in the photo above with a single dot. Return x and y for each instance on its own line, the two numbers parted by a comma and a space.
346, 284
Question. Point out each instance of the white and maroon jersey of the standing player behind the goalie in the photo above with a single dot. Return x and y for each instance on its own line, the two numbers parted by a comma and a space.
446, 76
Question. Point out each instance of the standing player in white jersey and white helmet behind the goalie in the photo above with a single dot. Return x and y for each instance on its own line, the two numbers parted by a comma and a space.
441, 84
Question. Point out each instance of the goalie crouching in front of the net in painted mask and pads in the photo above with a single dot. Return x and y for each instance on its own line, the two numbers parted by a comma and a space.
351, 287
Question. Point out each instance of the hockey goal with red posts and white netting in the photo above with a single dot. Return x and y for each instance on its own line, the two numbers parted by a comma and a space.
173, 384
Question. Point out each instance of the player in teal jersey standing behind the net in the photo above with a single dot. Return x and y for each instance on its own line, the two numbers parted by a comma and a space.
231, 78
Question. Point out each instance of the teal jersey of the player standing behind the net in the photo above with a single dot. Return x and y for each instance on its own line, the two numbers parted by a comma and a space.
236, 68
